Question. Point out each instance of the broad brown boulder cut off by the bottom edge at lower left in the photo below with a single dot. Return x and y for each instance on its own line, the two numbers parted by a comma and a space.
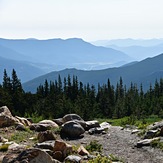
29, 156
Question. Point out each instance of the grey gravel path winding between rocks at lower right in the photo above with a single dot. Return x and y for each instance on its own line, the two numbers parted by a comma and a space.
121, 143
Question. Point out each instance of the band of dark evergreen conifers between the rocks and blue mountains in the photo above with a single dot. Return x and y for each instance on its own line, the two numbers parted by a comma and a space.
56, 98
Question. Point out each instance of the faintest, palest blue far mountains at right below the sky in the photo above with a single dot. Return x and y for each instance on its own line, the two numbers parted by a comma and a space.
138, 49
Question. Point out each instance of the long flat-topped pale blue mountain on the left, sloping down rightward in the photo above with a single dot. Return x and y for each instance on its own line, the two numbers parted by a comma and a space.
70, 53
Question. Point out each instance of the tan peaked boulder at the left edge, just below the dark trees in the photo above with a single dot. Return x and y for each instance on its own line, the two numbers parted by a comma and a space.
6, 118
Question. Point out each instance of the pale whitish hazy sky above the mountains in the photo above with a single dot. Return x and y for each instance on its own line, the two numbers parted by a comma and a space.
87, 19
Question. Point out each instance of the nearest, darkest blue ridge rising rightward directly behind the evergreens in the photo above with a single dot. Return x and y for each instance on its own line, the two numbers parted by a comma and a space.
145, 72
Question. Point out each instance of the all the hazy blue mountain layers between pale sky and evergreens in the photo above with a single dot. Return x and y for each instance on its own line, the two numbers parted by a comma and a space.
92, 64
